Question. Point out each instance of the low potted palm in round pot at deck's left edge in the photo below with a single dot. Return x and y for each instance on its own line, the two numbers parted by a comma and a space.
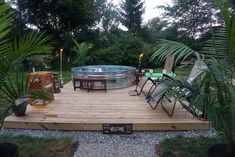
15, 91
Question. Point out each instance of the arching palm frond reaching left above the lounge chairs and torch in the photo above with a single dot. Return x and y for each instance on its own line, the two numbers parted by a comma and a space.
166, 47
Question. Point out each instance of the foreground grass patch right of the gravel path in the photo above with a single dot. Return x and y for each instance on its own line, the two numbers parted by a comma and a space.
185, 147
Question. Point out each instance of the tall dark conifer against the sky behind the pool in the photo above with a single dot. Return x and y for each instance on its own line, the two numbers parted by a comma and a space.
131, 12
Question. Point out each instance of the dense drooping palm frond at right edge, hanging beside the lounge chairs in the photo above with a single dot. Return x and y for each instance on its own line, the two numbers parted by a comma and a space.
218, 85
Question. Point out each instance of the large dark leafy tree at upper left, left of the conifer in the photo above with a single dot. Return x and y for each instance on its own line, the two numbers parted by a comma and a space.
62, 19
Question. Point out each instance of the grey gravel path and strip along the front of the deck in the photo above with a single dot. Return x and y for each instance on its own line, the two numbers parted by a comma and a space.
97, 144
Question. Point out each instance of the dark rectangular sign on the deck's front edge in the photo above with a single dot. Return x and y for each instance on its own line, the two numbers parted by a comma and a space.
117, 128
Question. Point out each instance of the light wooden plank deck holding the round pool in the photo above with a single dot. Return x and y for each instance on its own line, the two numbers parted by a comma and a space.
80, 110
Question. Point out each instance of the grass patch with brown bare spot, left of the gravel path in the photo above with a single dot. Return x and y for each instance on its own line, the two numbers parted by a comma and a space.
42, 147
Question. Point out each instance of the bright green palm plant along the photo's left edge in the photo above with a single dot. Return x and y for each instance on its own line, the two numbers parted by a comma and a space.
13, 51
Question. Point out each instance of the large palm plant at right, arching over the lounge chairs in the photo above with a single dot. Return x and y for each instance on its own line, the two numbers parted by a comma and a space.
216, 92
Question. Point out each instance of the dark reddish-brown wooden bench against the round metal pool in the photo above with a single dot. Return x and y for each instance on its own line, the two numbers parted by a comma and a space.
89, 83
